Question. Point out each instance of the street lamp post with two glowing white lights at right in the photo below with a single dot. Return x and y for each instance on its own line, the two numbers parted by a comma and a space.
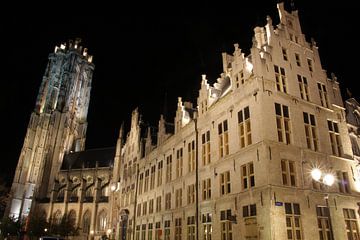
328, 179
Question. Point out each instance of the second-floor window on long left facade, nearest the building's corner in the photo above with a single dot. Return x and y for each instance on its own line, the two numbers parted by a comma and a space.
244, 127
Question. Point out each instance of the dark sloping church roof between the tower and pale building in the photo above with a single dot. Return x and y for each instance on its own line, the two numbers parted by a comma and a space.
102, 157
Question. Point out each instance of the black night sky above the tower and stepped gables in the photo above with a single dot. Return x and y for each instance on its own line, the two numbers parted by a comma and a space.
147, 55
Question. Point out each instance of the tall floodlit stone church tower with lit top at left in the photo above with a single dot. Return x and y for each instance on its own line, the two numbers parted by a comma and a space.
57, 125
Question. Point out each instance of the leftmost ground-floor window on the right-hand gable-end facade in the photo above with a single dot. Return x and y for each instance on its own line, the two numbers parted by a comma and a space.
293, 221
